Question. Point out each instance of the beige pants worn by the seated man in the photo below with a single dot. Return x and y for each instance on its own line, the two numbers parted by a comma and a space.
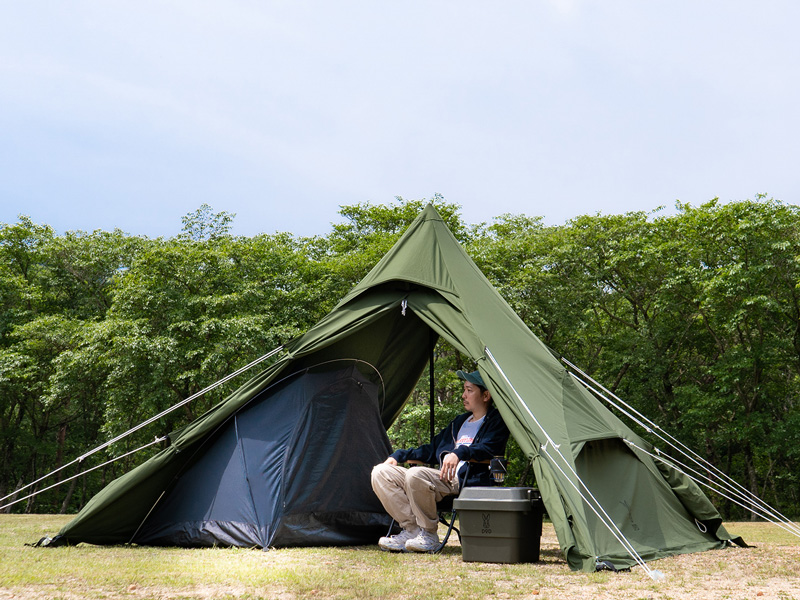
410, 495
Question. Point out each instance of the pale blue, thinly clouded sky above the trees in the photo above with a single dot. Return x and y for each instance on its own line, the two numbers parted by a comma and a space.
131, 114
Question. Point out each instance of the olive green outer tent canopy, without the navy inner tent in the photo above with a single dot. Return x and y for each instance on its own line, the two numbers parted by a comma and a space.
588, 464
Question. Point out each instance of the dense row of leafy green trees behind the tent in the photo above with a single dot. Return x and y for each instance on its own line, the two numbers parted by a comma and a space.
692, 317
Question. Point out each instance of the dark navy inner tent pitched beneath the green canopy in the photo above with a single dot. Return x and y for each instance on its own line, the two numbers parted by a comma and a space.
290, 466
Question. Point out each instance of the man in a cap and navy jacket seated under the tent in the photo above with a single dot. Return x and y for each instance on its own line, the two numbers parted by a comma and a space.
410, 495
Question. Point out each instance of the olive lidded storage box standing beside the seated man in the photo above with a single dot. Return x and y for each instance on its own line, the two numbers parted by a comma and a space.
499, 525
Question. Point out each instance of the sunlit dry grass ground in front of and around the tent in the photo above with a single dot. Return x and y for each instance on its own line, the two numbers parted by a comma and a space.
770, 570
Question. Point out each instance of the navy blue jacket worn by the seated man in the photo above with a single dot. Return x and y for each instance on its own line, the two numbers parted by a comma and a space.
490, 441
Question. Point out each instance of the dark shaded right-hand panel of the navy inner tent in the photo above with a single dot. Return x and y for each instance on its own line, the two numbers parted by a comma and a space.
325, 486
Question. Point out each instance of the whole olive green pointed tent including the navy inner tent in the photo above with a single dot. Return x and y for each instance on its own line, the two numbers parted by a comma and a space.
608, 499
